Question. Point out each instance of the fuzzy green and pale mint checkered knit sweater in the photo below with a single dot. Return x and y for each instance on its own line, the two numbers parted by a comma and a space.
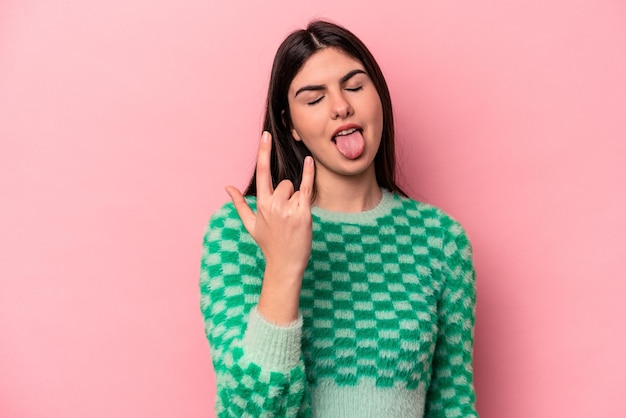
386, 326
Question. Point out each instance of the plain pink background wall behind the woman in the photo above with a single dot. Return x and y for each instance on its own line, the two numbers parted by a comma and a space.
120, 123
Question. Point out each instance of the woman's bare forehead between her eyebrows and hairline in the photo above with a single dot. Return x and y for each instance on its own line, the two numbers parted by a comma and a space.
325, 66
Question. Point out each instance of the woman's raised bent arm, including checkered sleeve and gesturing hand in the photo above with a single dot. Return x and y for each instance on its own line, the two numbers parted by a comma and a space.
251, 279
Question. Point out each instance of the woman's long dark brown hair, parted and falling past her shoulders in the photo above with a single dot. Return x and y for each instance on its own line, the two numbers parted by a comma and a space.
287, 156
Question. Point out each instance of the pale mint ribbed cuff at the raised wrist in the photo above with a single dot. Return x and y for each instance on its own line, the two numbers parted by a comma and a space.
272, 346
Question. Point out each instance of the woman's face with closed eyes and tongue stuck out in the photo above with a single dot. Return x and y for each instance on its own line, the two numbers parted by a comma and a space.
336, 112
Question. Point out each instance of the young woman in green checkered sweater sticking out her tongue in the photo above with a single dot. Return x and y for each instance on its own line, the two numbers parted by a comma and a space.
326, 291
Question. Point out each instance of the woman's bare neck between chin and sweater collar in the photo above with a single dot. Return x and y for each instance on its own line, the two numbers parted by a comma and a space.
347, 193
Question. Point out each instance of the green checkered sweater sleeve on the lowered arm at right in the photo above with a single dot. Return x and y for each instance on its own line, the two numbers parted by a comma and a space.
451, 392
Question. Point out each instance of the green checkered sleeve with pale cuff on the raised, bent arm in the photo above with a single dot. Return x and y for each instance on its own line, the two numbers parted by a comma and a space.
258, 366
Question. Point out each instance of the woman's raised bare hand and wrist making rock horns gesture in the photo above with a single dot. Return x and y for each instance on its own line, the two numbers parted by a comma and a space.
282, 227
